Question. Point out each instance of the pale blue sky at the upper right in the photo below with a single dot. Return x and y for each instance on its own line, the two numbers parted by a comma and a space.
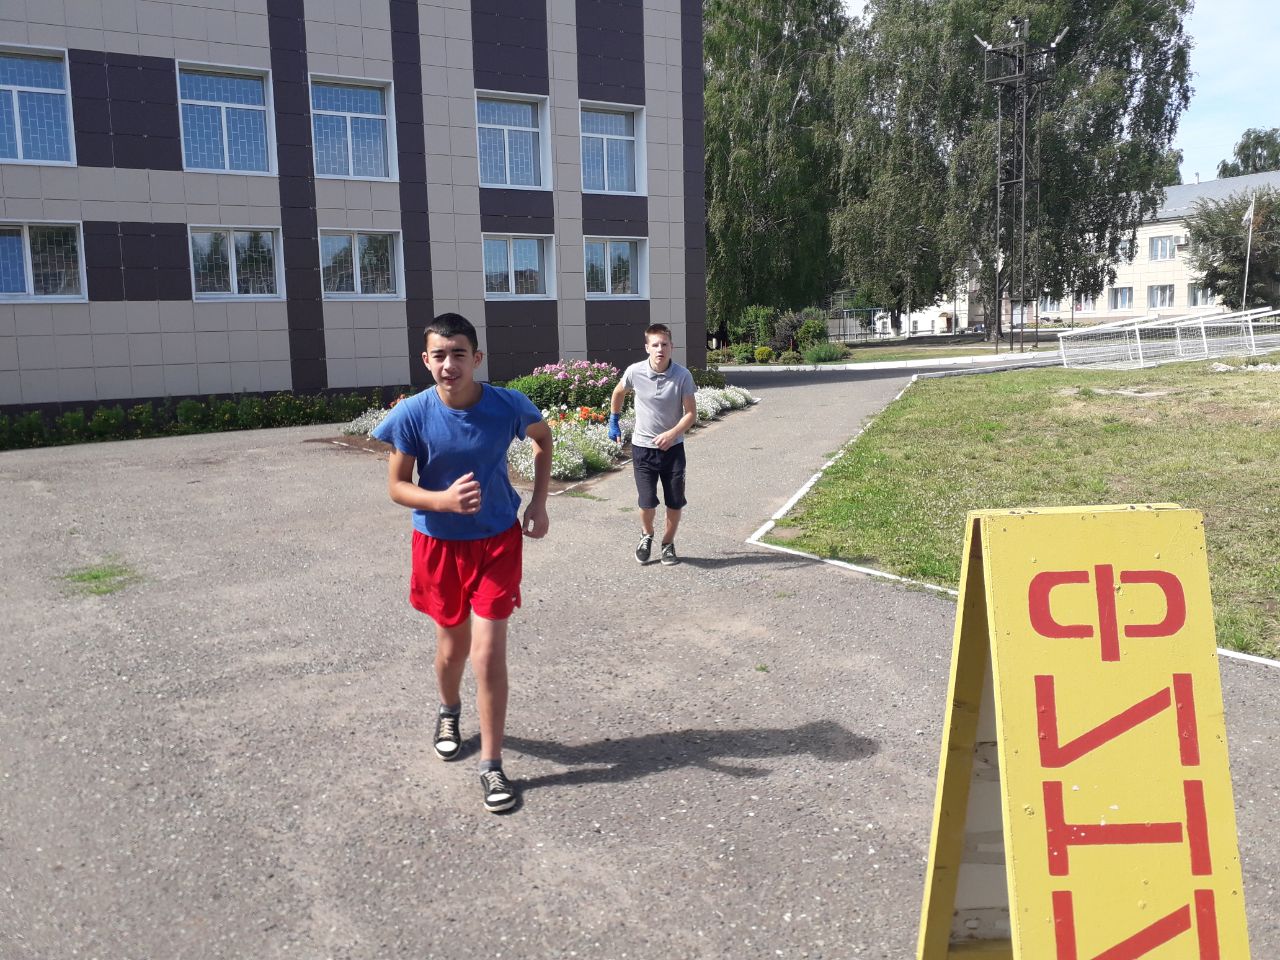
1235, 48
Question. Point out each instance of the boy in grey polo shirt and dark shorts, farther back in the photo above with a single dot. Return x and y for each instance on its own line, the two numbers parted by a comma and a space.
665, 410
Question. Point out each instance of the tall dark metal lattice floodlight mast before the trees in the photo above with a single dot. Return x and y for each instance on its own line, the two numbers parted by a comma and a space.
1017, 72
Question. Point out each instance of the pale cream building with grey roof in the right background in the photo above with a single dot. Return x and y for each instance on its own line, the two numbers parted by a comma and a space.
1158, 280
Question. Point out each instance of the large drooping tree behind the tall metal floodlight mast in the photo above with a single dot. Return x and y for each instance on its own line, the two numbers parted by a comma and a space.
918, 175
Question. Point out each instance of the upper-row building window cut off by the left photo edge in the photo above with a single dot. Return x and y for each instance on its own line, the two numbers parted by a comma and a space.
34, 109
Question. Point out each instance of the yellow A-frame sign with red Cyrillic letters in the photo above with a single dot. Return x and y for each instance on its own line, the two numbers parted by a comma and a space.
1085, 806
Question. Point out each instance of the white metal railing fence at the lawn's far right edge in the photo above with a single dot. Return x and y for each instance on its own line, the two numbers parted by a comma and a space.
1137, 344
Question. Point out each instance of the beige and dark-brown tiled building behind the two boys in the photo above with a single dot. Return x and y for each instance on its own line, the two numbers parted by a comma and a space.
227, 196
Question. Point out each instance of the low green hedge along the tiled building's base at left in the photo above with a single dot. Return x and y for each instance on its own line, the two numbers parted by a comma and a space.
186, 417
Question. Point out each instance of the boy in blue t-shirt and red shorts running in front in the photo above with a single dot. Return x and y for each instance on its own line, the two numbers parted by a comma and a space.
467, 537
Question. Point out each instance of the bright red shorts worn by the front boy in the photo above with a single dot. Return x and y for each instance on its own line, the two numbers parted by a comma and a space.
454, 578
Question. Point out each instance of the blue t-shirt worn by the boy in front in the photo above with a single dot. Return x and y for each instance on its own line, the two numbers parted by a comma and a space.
449, 444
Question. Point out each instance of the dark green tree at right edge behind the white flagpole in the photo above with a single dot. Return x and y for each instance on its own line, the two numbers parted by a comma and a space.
1219, 235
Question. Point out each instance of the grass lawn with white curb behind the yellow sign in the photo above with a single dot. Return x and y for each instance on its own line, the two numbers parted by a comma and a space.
1181, 435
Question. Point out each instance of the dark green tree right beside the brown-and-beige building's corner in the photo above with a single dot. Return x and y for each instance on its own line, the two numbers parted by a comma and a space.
771, 153
